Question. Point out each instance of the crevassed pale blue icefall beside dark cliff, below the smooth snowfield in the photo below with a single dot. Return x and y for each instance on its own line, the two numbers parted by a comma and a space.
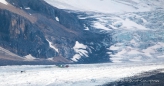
136, 36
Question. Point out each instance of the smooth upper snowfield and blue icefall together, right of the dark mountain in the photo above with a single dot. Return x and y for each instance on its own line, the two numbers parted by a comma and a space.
136, 26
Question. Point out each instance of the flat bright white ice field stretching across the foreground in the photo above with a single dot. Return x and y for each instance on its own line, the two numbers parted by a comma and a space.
75, 75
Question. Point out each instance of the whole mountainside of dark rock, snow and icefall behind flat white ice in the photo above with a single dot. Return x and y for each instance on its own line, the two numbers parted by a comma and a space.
82, 31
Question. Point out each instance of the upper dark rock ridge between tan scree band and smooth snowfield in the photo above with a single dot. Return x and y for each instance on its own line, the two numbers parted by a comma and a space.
65, 19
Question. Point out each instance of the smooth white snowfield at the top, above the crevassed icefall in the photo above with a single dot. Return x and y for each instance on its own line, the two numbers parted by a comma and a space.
107, 6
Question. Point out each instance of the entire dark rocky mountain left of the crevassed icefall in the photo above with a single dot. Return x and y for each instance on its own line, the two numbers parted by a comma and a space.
23, 37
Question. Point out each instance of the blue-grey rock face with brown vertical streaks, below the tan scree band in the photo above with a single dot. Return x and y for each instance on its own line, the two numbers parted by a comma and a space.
22, 37
